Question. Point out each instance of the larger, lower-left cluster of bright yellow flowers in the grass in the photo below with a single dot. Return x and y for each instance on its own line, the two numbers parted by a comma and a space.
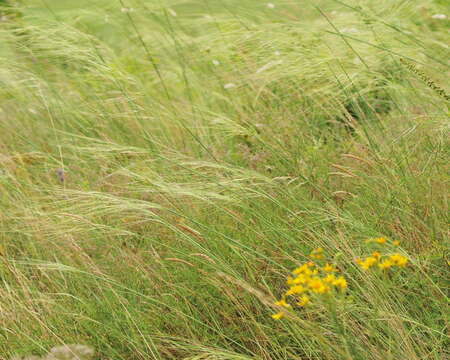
310, 279
